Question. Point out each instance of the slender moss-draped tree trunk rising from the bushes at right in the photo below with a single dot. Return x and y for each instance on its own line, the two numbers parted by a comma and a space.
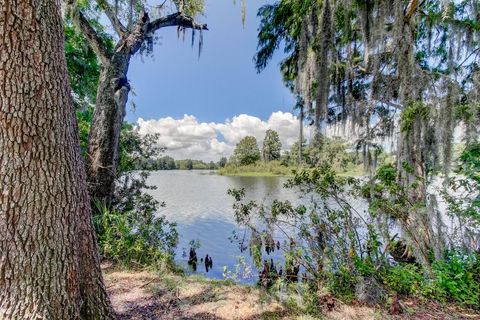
412, 150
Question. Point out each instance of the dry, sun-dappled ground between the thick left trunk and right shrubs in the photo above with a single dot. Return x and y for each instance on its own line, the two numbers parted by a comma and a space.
143, 295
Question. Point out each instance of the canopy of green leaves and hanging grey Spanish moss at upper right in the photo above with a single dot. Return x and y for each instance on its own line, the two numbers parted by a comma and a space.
357, 65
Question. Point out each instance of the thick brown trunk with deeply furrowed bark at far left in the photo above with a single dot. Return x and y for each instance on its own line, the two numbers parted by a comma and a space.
48, 261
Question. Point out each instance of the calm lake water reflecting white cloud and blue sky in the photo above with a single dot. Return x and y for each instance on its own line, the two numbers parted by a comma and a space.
198, 202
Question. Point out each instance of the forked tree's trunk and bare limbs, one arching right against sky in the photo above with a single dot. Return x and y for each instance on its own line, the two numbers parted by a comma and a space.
112, 94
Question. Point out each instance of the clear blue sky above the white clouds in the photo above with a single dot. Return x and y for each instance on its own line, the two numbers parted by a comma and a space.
221, 84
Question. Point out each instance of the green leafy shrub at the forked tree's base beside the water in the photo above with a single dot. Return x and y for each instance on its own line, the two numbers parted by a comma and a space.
131, 232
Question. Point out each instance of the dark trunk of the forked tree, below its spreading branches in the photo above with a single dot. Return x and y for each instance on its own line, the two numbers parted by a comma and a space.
112, 96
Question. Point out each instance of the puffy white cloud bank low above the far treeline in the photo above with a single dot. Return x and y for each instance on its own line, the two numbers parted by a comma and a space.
189, 138
